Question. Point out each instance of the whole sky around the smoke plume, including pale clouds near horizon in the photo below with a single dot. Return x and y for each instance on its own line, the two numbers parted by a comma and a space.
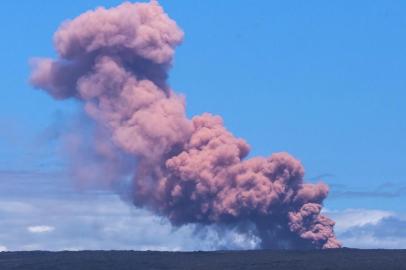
323, 80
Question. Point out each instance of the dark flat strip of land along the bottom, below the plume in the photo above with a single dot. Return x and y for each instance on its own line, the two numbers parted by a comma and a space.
347, 259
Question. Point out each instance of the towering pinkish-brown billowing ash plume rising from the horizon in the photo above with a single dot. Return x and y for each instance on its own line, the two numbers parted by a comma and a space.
115, 62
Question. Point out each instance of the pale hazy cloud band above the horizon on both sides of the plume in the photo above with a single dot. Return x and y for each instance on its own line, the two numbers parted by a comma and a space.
89, 220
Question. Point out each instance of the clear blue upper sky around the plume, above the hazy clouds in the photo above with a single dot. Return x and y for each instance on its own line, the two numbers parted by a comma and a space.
323, 80
